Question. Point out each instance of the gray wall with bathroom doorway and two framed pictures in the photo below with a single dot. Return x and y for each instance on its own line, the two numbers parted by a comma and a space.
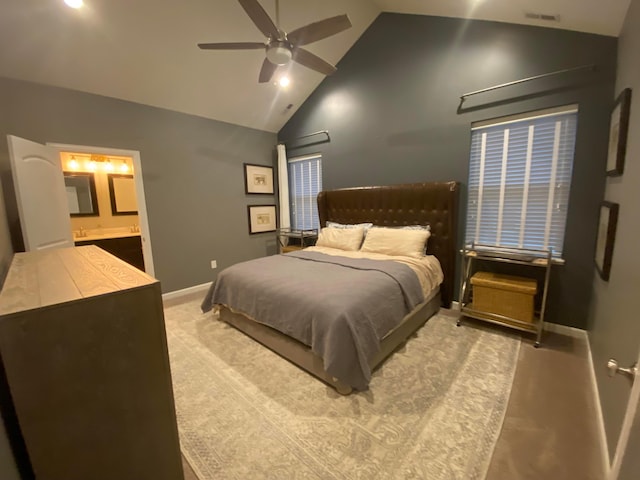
192, 171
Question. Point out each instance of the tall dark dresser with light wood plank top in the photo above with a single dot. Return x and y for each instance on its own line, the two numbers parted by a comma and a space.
84, 349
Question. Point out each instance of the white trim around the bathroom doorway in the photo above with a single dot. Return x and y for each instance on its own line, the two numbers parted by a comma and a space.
142, 205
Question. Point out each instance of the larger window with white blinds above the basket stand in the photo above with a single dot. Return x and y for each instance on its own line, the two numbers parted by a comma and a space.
519, 180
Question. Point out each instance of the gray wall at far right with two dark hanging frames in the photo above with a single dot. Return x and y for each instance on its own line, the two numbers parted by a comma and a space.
614, 325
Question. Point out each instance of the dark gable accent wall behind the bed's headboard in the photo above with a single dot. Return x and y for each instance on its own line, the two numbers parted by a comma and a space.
392, 113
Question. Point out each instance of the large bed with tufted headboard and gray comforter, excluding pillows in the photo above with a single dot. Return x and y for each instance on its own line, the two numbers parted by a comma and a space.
352, 346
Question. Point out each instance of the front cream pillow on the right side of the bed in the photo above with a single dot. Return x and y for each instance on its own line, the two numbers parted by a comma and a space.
395, 241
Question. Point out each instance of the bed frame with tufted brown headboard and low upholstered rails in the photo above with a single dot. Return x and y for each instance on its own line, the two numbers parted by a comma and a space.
434, 203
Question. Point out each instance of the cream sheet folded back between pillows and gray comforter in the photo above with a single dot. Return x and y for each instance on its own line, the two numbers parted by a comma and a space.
427, 268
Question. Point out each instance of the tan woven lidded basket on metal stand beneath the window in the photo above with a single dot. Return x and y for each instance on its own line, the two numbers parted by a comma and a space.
505, 295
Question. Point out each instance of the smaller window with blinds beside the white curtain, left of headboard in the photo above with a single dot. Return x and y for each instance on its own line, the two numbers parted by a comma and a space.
305, 182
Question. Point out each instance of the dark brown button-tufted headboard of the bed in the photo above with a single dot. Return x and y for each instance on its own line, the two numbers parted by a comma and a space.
434, 203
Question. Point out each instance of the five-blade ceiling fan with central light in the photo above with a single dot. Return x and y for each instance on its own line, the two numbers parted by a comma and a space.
282, 47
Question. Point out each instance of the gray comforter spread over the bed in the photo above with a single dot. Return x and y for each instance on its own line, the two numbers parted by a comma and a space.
338, 306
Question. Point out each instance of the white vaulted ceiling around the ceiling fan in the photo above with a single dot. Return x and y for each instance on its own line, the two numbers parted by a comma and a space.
145, 51
